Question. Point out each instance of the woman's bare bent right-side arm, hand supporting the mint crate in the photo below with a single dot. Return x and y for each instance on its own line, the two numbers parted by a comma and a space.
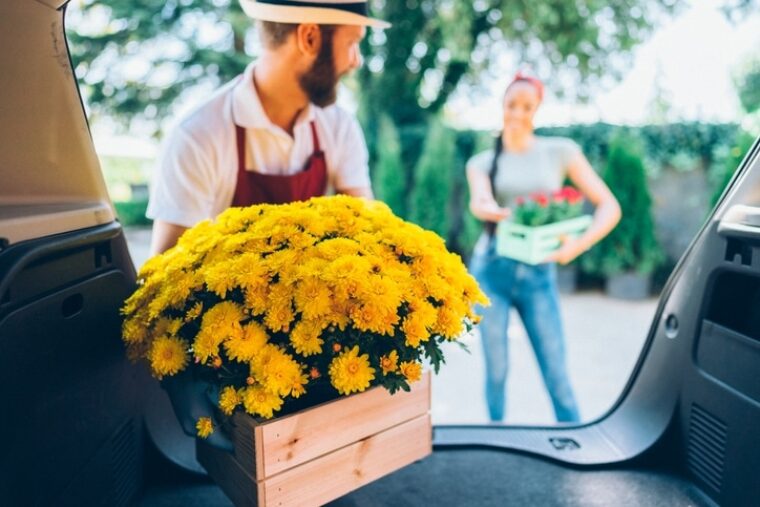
606, 216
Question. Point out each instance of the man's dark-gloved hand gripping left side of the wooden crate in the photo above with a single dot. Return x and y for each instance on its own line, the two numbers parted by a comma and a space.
192, 399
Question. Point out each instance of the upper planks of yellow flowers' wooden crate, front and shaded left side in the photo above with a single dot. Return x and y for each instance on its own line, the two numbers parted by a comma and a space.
292, 440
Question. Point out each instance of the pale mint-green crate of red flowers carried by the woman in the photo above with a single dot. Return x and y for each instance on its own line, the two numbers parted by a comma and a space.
532, 245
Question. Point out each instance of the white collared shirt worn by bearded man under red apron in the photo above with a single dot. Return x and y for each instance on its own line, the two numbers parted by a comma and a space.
197, 171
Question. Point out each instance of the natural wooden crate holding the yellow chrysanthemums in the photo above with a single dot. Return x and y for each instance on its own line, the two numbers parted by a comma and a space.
321, 453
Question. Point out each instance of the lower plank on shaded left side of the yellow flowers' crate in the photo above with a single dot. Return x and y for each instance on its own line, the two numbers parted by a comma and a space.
230, 476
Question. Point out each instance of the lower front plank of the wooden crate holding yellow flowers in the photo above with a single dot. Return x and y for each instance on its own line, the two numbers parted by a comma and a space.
342, 471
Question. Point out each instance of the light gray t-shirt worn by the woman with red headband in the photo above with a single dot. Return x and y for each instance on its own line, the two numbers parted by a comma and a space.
542, 168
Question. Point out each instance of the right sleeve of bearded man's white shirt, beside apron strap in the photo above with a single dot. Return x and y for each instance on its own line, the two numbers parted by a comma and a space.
352, 165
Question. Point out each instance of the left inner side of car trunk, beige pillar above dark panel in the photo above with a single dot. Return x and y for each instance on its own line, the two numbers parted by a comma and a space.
72, 424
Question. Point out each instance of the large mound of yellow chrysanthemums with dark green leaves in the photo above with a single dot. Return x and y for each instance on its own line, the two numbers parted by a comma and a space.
269, 301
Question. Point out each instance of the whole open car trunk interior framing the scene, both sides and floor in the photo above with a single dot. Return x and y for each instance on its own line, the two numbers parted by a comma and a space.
682, 433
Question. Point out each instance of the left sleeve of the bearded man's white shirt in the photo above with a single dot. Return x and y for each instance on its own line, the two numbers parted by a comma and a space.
182, 190
